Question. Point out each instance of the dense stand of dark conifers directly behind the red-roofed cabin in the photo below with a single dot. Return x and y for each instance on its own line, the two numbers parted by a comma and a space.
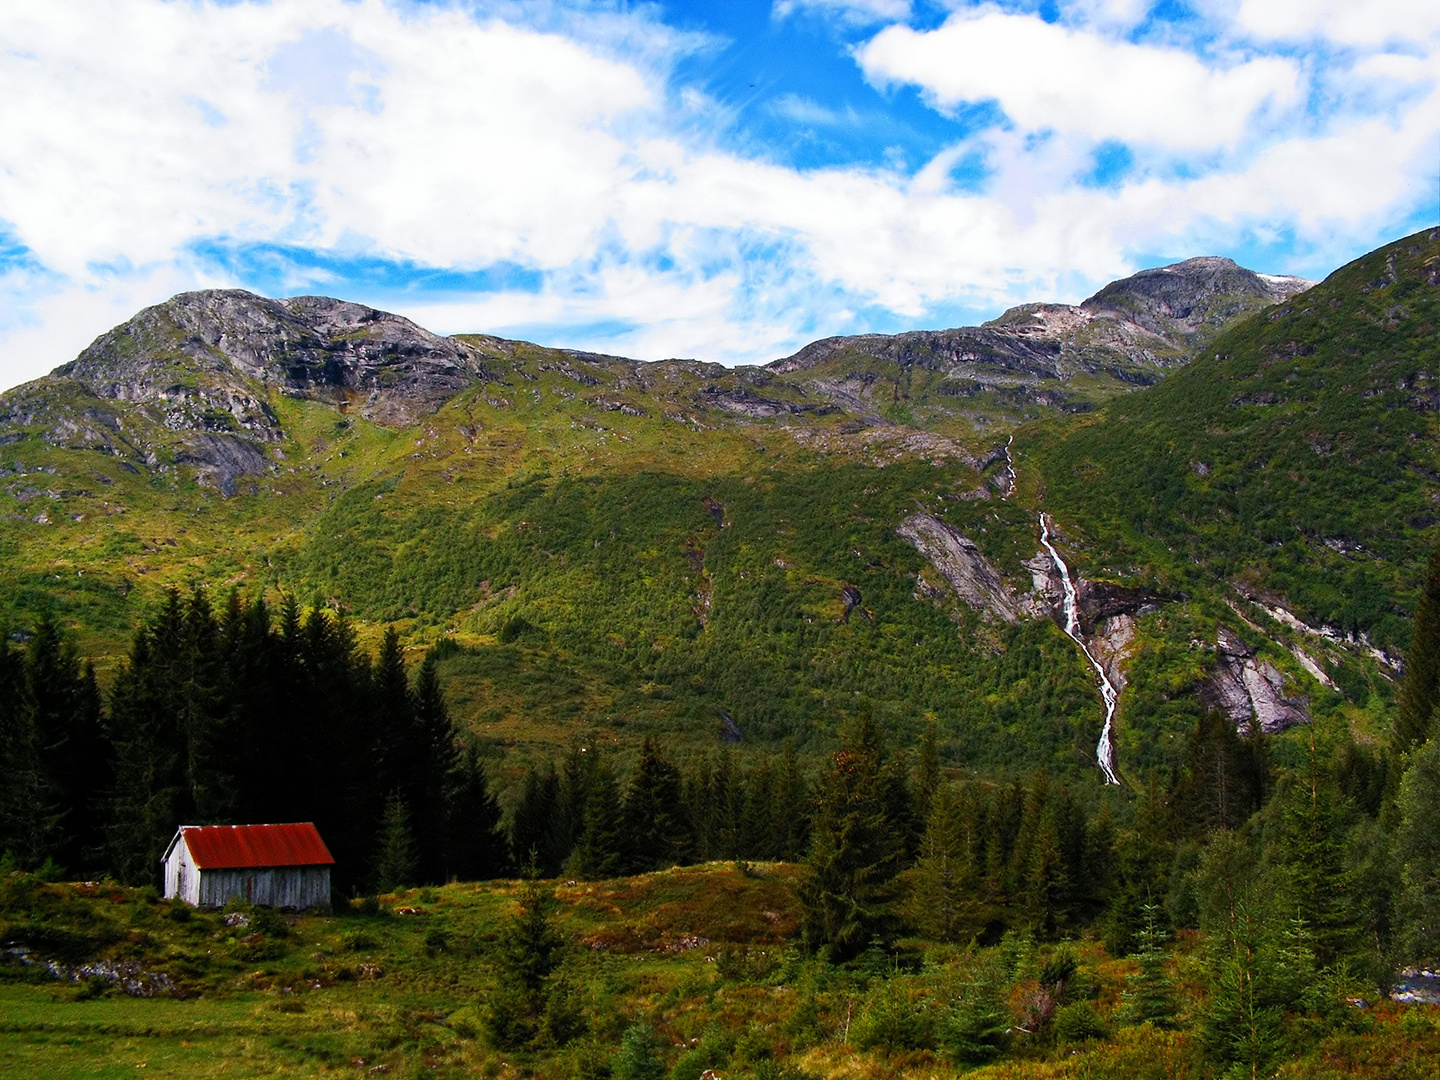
240, 716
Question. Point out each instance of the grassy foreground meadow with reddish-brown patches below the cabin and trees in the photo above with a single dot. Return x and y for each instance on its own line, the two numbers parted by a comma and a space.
699, 954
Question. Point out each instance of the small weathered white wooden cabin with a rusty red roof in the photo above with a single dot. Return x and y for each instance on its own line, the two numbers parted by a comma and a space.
274, 866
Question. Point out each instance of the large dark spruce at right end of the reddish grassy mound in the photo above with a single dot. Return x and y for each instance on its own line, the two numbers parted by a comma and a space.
847, 885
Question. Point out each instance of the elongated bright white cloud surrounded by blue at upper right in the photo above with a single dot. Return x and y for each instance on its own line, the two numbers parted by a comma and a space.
1046, 76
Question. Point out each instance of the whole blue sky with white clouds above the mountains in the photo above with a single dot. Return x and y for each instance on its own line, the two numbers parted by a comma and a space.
685, 179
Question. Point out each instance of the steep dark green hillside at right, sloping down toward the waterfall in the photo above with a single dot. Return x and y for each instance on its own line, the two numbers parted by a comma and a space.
1295, 459
